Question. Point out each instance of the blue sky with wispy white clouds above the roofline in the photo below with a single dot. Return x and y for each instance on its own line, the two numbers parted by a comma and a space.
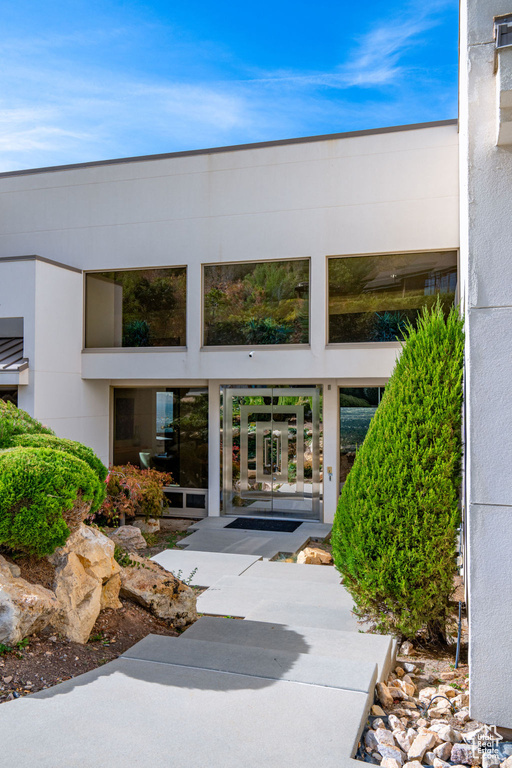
94, 80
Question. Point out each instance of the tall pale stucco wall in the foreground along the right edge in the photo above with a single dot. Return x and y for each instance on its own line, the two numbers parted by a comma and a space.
486, 203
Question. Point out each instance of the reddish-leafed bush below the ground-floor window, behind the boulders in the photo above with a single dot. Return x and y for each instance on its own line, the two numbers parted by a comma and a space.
133, 491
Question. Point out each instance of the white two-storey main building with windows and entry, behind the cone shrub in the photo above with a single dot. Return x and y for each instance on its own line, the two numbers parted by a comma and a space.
124, 326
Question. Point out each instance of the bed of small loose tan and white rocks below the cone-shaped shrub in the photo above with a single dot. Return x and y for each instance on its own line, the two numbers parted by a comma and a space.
420, 718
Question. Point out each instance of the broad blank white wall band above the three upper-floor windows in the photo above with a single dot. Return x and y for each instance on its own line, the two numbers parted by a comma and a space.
384, 192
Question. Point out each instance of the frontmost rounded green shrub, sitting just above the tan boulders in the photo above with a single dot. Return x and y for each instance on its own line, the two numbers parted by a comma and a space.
44, 495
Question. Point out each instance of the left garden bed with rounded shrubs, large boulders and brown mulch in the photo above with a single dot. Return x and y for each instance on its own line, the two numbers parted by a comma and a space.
60, 578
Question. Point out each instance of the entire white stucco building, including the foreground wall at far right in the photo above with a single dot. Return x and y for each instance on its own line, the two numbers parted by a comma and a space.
228, 315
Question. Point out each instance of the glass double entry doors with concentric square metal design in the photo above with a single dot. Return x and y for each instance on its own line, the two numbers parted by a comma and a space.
271, 452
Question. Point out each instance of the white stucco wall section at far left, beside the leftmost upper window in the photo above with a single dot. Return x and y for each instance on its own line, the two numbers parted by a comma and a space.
49, 299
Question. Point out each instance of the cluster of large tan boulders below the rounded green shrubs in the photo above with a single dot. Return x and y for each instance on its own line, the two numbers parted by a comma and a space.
86, 580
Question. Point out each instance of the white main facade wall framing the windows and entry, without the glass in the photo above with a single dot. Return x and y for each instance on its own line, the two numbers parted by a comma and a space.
384, 192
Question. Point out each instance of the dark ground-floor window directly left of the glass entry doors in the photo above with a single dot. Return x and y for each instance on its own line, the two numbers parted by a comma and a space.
164, 429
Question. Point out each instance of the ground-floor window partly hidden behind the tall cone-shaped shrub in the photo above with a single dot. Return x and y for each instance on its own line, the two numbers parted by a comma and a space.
357, 409
